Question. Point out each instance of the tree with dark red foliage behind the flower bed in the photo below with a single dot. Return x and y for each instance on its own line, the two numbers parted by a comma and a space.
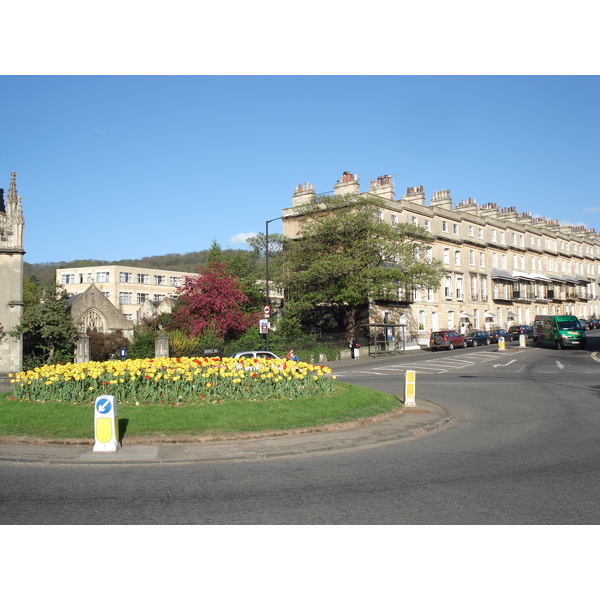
212, 301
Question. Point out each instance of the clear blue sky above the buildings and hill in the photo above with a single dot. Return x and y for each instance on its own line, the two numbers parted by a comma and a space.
116, 167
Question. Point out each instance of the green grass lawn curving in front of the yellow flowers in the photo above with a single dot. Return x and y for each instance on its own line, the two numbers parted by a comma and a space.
65, 421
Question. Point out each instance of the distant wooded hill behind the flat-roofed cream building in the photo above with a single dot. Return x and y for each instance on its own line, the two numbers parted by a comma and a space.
192, 261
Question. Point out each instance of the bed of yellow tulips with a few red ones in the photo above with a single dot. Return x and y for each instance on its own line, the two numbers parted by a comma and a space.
173, 381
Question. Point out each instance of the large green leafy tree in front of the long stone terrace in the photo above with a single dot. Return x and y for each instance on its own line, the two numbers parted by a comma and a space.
346, 255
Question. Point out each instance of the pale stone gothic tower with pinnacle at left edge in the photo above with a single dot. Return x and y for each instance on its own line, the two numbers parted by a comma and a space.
11, 279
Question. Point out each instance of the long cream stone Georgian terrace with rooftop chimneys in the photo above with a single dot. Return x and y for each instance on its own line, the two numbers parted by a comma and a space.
502, 267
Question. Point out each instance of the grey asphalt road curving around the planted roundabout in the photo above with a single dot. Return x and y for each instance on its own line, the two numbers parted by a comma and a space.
522, 449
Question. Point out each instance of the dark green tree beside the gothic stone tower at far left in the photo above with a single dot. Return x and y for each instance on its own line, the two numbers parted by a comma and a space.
48, 324
